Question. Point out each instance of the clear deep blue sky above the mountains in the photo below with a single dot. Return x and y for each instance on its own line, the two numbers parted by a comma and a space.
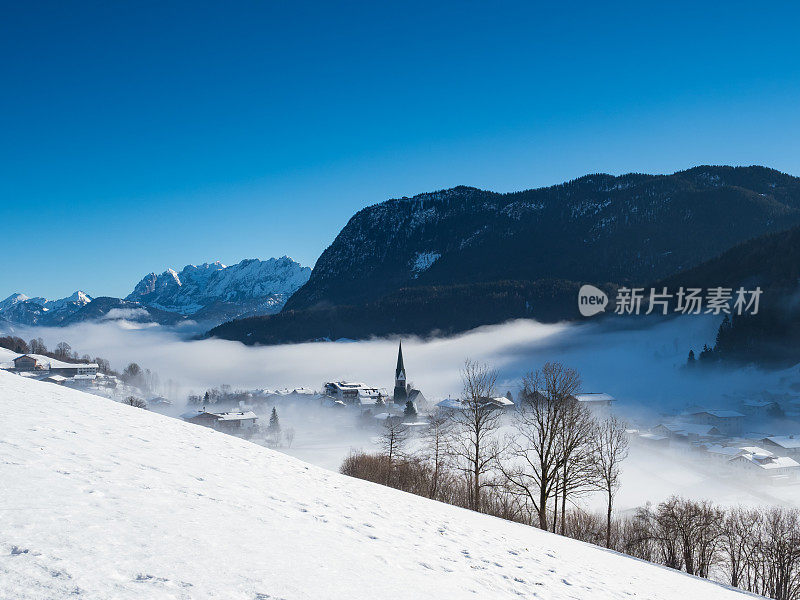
140, 136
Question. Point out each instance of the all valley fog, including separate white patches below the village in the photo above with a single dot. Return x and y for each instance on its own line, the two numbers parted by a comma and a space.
639, 365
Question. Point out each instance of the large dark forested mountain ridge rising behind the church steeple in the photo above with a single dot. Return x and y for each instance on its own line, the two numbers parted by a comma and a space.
422, 256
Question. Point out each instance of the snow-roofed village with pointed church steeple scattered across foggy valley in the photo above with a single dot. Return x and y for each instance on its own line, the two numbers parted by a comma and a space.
758, 438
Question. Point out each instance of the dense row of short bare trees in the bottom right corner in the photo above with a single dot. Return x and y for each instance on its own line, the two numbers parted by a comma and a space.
755, 549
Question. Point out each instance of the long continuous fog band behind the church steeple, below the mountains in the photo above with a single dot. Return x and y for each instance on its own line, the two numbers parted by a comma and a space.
639, 364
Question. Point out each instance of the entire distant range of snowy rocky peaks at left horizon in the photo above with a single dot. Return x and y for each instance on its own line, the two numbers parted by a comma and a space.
208, 293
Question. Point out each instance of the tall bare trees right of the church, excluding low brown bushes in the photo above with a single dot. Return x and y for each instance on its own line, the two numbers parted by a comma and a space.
554, 449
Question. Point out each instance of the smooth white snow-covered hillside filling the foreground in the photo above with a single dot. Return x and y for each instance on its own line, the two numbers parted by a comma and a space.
102, 500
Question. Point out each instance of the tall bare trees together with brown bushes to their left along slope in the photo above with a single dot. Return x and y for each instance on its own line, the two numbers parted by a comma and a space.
529, 466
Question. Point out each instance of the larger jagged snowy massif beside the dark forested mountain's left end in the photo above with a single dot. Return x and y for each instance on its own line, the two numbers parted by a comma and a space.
258, 286
